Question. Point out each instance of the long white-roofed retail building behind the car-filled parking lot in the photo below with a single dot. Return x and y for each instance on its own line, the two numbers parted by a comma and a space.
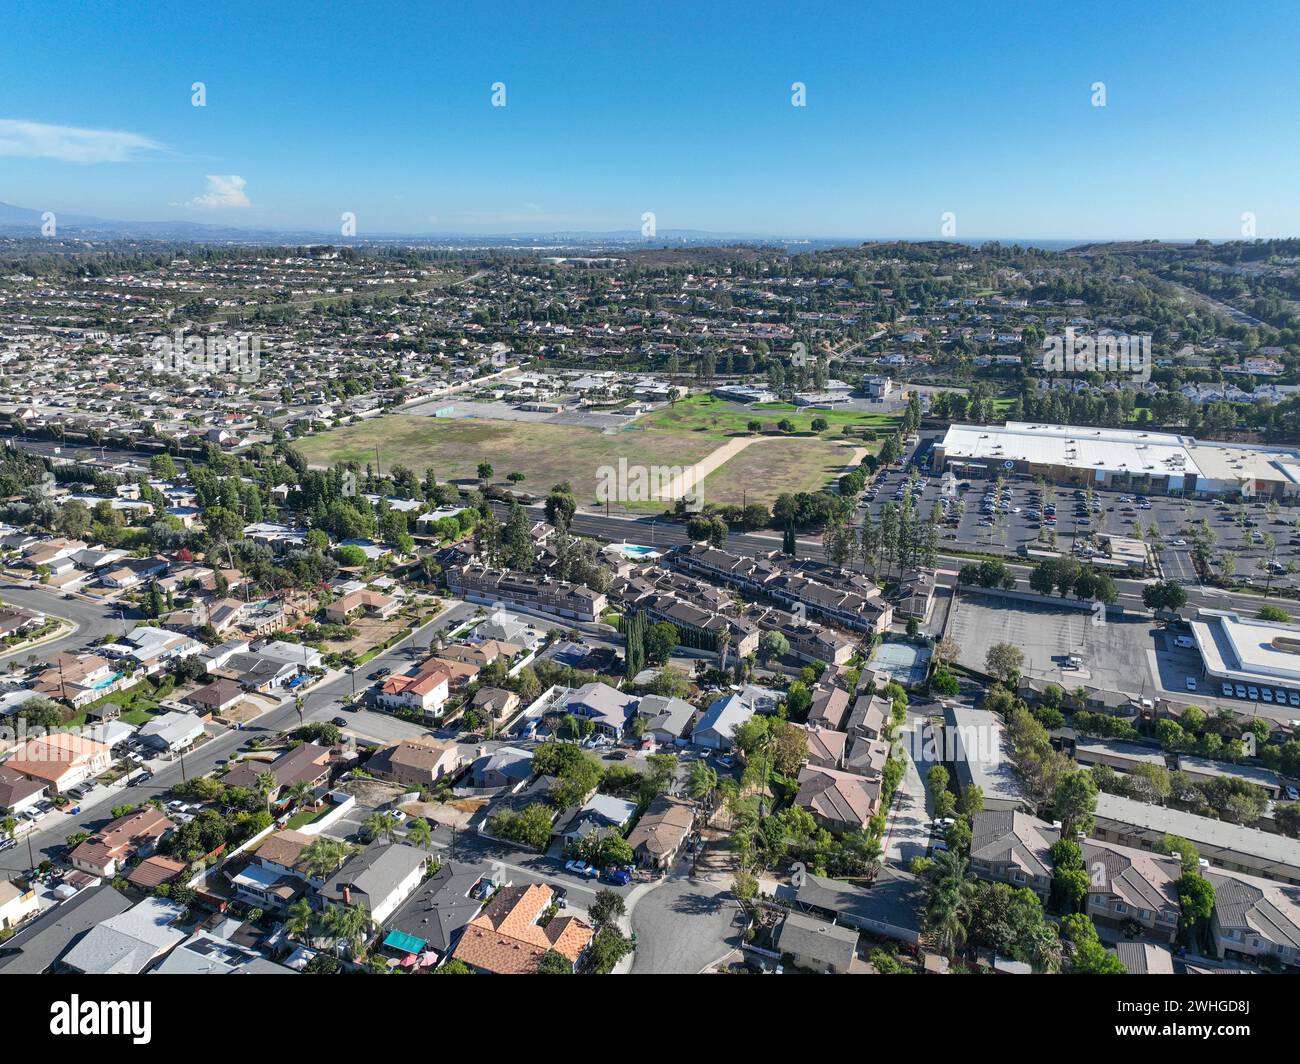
1125, 460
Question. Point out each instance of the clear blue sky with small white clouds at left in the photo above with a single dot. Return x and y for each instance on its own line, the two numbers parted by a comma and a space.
617, 109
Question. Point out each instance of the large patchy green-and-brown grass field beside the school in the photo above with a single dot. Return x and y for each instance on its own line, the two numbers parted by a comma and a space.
547, 455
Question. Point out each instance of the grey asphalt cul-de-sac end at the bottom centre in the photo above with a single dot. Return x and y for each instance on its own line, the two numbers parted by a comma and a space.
683, 927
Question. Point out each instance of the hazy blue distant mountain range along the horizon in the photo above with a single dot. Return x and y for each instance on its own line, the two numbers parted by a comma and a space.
27, 222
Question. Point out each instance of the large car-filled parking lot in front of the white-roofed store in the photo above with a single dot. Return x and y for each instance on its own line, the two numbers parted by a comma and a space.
1020, 517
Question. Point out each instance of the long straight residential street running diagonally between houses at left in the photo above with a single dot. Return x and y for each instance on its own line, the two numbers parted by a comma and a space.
322, 703
